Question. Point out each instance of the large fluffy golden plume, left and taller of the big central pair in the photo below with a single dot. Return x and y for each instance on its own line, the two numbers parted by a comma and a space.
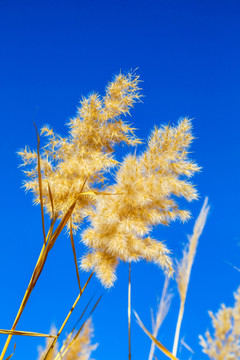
69, 164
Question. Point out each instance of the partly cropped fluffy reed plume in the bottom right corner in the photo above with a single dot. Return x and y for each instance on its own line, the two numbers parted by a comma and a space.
224, 344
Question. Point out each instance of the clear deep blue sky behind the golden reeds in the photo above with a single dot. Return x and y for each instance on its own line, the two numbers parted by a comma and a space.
187, 54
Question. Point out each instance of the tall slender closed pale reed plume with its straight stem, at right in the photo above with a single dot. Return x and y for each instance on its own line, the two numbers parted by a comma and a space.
184, 267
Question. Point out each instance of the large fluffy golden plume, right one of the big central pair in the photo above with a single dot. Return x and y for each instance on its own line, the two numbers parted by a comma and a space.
143, 197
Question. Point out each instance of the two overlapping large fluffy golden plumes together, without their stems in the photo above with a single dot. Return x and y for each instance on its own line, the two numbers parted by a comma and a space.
143, 195
